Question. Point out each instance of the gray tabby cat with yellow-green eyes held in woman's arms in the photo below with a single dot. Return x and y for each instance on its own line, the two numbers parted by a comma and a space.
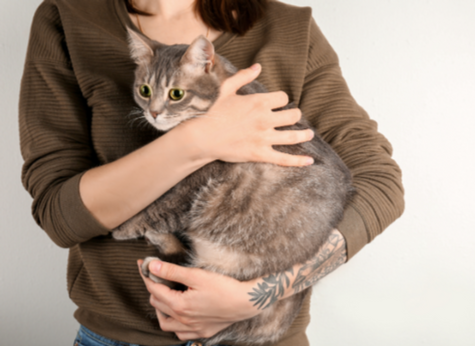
242, 220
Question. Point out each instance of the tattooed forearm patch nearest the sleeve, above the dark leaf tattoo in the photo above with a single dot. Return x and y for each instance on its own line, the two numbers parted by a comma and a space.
331, 255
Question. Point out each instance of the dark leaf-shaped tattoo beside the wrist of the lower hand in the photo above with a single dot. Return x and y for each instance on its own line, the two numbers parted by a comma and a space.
271, 289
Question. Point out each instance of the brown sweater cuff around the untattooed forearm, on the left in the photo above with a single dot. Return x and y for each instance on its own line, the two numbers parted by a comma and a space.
80, 221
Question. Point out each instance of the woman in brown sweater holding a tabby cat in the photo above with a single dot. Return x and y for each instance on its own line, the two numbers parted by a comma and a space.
89, 169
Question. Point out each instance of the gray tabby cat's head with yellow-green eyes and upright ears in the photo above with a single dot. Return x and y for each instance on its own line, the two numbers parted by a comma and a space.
174, 83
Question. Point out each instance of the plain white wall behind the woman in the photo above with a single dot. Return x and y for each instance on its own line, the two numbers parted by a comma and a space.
410, 64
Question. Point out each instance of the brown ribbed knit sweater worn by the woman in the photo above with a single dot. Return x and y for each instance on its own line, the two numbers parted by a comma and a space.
75, 100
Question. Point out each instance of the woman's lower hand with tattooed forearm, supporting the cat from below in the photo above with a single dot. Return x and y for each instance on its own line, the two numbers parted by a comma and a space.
214, 302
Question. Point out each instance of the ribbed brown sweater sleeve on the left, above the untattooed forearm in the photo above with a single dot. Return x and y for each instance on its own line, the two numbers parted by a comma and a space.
55, 134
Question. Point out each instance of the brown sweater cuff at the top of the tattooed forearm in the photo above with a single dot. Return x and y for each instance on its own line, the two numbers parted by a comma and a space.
353, 229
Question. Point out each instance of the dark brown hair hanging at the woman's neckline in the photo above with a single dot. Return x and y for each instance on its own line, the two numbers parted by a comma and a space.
236, 16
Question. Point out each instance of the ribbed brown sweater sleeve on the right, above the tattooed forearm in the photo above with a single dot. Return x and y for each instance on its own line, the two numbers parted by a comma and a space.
327, 103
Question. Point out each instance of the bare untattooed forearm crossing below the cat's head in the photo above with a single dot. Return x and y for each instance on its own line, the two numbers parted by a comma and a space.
117, 191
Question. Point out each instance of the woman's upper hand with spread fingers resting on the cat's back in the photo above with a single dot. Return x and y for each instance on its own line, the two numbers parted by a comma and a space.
241, 128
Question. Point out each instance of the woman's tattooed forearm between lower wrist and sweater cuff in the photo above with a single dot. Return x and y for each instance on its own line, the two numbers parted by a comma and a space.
267, 290
